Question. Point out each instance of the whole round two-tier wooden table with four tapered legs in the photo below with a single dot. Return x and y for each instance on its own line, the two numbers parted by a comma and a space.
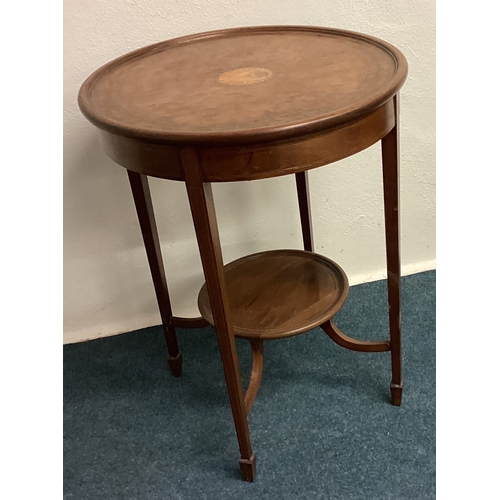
244, 104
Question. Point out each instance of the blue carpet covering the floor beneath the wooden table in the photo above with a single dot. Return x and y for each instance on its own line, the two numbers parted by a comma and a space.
322, 425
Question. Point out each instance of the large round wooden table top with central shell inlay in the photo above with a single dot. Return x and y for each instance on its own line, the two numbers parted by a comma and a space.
243, 85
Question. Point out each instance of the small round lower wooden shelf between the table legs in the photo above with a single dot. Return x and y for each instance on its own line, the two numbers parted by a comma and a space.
280, 293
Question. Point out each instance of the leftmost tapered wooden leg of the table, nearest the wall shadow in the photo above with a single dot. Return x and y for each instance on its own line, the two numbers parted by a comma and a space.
144, 207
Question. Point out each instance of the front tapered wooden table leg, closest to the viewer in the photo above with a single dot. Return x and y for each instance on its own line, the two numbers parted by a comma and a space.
205, 224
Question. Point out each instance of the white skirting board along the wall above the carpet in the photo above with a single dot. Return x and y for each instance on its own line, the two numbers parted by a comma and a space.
144, 322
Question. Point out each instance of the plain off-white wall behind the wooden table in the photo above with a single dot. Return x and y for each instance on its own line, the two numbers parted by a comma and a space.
107, 285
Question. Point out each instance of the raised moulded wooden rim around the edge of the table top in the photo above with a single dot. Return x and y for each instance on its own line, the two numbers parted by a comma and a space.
318, 124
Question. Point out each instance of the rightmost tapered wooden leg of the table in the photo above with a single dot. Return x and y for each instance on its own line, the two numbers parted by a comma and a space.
390, 162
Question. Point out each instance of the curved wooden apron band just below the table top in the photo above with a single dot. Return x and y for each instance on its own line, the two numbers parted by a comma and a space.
244, 162
